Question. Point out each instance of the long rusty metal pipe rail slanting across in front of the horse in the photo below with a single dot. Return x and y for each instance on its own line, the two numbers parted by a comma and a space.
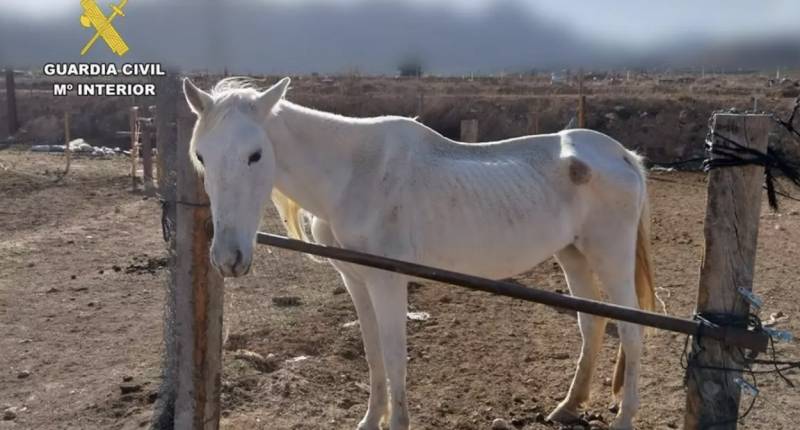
741, 337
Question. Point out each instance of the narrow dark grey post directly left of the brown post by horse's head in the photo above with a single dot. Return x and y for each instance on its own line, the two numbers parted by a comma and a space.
167, 99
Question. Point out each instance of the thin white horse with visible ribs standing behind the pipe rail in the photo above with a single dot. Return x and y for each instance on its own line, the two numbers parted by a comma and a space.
393, 187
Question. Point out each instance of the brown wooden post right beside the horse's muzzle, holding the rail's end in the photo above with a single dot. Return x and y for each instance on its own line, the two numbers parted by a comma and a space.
199, 296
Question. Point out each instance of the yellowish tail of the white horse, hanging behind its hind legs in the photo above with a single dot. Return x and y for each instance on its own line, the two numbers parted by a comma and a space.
645, 289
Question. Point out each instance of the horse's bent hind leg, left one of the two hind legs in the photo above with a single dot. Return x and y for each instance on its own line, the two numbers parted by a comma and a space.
581, 284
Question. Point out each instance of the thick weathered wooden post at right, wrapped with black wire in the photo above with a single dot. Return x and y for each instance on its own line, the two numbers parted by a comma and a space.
731, 232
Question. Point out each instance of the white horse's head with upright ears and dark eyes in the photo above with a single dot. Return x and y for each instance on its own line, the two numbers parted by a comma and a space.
231, 147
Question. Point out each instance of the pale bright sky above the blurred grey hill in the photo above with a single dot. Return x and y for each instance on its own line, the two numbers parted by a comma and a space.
635, 23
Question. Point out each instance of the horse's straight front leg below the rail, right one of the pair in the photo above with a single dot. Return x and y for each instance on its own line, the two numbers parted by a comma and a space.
389, 294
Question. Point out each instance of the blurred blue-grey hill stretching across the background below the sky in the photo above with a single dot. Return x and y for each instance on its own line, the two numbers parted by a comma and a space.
250, 37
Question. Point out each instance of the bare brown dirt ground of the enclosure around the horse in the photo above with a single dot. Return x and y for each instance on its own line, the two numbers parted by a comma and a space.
82, 289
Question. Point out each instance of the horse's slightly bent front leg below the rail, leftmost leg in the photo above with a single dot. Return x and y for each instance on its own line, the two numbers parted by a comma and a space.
378, 406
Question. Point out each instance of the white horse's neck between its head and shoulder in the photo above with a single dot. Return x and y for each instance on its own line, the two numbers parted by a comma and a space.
314, 155
